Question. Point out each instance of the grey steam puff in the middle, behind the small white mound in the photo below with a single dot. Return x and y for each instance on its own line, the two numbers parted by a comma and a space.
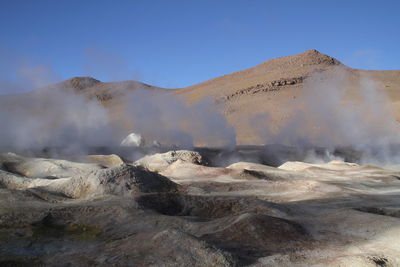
162, 116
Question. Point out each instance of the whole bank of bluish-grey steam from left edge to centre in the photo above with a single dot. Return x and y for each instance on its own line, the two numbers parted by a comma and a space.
57, 116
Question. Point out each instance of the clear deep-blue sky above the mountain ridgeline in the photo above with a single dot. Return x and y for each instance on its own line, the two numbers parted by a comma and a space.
180, 43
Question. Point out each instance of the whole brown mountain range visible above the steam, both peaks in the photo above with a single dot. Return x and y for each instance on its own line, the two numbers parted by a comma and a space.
272, 90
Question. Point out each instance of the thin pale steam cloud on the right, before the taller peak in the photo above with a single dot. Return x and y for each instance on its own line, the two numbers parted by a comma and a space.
333, 113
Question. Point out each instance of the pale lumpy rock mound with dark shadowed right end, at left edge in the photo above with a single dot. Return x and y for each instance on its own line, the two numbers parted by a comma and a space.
87, 181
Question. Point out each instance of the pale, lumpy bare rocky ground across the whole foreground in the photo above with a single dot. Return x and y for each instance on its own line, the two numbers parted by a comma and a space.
173, 209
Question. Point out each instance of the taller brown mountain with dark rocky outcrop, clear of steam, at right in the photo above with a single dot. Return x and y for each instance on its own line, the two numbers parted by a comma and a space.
276, 87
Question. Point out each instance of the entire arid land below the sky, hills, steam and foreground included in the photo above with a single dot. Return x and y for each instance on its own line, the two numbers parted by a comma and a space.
291, 163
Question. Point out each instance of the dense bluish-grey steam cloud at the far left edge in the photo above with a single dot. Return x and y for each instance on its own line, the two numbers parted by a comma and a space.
53, 119
